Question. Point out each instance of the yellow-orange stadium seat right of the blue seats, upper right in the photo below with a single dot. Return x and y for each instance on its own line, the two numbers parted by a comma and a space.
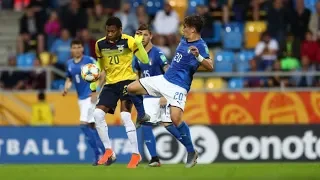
253, 30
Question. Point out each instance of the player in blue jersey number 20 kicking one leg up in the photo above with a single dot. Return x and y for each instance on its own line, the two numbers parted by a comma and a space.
175, 83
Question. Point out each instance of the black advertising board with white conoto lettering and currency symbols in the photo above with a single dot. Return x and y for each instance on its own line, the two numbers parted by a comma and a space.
285, 143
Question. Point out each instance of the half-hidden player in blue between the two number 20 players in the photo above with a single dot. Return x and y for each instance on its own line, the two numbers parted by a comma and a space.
157, 106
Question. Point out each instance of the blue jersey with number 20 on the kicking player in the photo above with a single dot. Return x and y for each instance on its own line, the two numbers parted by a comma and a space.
184, 64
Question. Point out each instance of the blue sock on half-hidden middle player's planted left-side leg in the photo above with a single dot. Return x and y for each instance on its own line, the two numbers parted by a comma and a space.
149, 140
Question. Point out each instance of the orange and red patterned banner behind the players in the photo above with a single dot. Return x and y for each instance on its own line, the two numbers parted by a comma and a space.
201, 108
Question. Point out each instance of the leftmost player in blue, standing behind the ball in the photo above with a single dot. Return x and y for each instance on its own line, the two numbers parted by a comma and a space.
86, 99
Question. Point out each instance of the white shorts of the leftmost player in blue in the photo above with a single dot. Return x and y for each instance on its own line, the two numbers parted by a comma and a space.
86, 110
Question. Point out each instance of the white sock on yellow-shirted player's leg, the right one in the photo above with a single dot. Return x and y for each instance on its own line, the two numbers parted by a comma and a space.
131, 131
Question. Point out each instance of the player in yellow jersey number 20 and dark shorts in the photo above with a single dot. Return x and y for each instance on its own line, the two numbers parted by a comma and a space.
115, 54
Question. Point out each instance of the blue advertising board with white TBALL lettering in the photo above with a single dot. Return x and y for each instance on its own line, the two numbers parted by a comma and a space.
56, 145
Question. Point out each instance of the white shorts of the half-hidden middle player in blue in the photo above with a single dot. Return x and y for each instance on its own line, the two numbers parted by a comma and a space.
157, 113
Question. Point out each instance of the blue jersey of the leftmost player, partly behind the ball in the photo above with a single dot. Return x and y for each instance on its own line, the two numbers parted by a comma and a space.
74, 73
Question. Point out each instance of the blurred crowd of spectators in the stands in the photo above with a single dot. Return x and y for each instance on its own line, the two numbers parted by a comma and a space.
290, 41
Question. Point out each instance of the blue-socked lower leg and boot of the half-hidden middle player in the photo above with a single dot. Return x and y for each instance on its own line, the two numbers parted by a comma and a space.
150, 141
